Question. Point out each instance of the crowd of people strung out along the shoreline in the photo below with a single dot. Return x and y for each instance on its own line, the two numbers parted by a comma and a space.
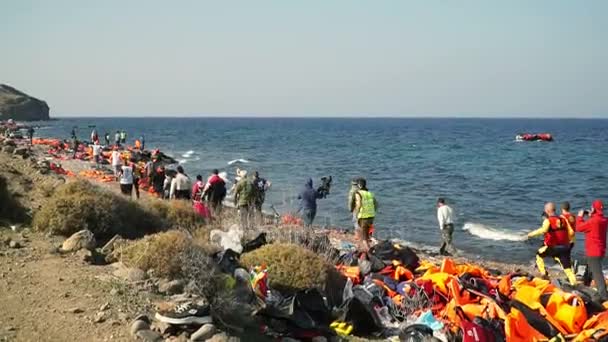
249, 192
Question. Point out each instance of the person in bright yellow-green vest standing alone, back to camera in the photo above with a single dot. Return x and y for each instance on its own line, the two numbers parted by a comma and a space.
365, 207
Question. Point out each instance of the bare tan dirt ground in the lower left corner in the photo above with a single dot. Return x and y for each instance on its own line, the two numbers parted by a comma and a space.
51, 297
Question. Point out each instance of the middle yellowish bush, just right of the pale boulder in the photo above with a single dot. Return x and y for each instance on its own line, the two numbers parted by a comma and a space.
162, 252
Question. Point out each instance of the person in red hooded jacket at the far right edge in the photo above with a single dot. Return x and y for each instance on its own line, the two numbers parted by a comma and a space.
595, 244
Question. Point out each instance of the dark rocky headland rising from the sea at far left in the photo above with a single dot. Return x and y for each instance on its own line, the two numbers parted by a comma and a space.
20, 106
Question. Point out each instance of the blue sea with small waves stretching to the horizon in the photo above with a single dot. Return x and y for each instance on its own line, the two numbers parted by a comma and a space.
497, 186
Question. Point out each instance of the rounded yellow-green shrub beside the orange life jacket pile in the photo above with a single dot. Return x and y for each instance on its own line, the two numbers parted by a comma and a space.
290, 267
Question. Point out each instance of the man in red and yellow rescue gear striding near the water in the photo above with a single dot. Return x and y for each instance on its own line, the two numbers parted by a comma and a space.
556, 243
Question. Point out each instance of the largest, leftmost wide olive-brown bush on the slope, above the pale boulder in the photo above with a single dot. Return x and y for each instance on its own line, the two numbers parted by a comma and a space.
81, 205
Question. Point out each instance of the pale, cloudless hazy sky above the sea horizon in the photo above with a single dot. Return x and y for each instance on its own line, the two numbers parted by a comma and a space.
320, 58
